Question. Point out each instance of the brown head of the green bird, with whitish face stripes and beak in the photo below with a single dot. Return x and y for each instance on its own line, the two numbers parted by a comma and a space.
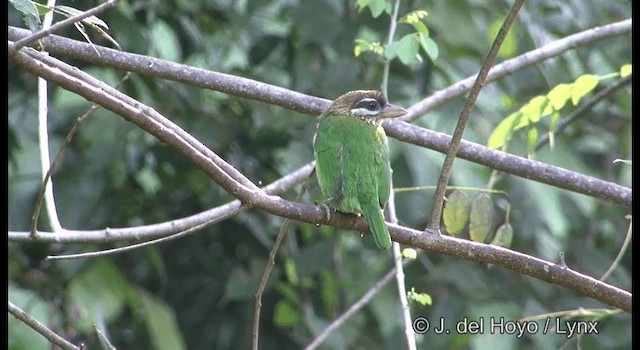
368, 105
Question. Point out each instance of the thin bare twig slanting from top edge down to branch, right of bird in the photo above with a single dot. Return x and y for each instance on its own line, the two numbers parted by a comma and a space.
465, 115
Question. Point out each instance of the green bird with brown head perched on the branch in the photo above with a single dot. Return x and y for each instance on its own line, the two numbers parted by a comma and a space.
352, 157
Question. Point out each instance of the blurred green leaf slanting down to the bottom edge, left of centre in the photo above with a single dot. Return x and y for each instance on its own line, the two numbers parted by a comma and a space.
161, 323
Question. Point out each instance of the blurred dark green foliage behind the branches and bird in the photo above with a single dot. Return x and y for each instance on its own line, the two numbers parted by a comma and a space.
198, 292
